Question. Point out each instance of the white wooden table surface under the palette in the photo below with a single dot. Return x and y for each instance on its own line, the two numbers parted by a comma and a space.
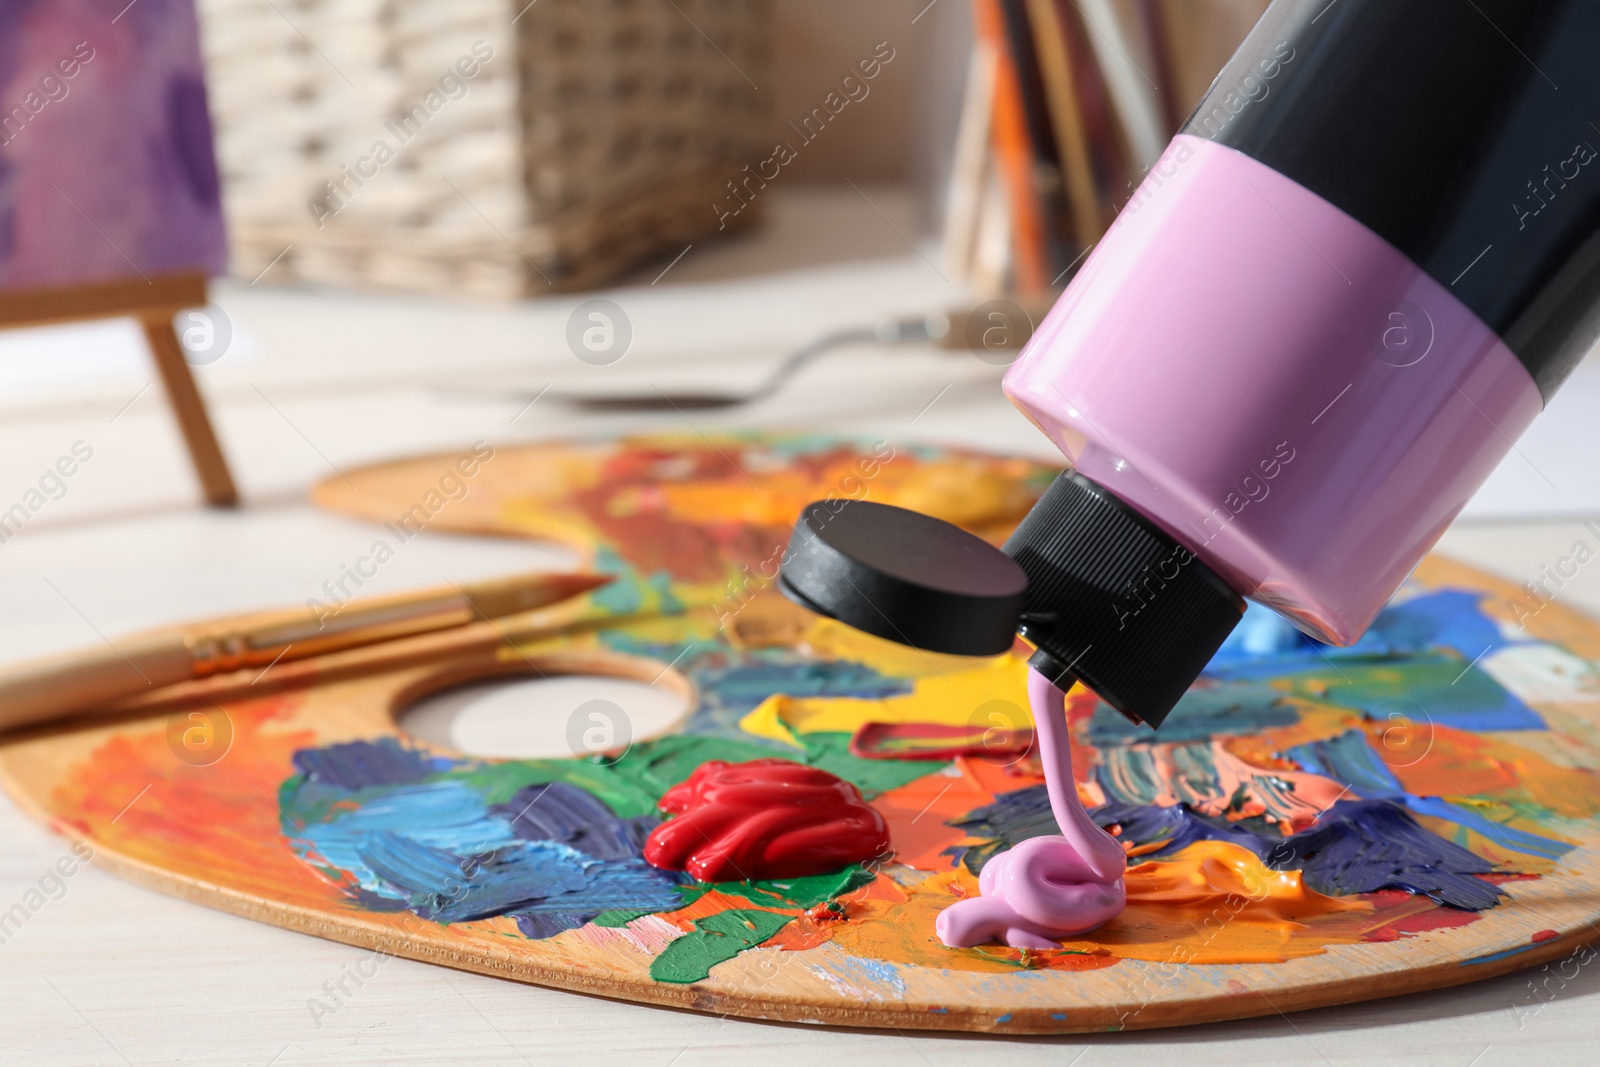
111, 973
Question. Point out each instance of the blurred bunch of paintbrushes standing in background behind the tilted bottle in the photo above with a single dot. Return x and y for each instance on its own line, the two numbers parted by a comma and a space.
1068, 106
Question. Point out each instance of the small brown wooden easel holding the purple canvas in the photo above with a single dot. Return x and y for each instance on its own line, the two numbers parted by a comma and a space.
154, 305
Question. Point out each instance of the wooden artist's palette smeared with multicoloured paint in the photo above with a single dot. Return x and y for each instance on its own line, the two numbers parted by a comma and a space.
278, 801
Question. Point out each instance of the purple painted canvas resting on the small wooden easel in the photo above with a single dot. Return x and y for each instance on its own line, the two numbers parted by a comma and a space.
106, 164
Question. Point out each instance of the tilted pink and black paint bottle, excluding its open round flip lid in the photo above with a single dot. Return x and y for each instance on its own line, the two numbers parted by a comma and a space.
1327, 314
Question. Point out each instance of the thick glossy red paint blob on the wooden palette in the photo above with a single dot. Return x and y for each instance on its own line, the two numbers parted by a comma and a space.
764, 820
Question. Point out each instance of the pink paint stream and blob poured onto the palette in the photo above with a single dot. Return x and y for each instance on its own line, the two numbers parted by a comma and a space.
1047, 889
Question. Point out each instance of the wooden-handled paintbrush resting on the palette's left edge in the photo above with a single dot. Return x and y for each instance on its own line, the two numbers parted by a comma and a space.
65, 685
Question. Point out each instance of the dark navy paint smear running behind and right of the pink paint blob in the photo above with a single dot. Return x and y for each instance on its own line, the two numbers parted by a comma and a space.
1356, 847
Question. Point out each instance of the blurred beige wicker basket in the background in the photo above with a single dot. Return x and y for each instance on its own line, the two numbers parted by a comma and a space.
588, 137
